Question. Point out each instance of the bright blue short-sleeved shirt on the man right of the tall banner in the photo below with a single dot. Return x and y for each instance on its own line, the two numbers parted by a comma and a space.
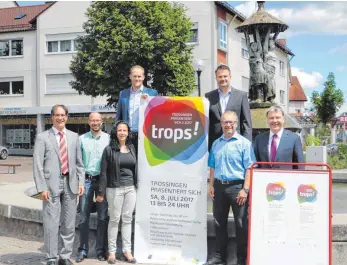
230, 158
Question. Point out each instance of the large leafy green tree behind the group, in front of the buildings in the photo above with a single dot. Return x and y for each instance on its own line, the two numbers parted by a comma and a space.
120, 34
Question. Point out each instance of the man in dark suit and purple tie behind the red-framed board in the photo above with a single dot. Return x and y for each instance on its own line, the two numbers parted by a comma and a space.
278, 144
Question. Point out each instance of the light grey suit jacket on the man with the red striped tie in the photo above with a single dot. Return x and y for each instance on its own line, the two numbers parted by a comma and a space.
47, 164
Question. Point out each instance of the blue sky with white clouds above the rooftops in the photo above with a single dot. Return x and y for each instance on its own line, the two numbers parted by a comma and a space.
317, 35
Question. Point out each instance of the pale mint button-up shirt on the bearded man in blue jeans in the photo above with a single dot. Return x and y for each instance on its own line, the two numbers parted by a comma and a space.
92, 148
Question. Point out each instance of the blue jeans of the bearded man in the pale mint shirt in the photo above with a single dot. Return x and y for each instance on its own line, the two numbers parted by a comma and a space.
86, 202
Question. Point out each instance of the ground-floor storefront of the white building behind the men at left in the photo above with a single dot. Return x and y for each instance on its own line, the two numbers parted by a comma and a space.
18, 126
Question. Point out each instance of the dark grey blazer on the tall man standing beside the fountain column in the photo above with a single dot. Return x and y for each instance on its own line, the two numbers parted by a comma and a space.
238, 102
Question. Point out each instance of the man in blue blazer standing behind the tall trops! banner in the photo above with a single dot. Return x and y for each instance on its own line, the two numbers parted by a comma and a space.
129, 101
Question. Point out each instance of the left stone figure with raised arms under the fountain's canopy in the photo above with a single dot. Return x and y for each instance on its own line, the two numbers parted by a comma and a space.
256, 65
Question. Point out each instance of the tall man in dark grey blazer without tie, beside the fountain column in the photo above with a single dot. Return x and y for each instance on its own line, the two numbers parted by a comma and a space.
227, 98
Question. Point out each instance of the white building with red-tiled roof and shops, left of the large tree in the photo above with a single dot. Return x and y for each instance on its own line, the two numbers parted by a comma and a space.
36, 48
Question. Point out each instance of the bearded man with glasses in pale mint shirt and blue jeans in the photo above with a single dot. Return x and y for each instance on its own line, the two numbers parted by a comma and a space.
93, 144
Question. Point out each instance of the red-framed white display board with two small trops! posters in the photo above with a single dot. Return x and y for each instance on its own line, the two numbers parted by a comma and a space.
289, 221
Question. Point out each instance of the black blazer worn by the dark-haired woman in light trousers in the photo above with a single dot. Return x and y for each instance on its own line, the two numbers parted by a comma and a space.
110, 168
